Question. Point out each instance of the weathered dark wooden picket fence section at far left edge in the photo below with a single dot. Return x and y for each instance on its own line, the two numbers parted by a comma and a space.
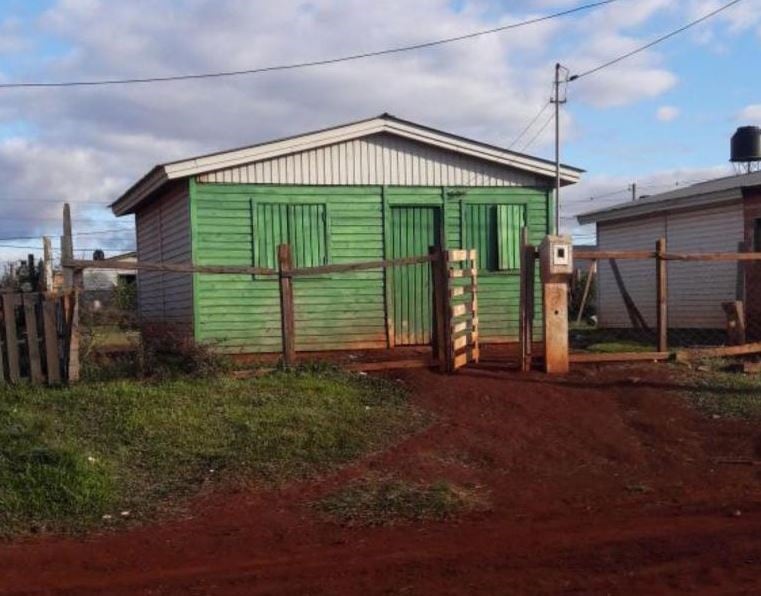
35, 336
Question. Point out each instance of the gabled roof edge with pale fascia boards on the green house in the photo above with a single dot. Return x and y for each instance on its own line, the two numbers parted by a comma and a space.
385, 123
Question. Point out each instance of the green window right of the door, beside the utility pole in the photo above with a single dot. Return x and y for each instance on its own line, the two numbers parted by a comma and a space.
495, 232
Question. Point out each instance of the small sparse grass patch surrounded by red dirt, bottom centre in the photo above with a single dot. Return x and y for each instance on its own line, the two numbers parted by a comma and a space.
383, 501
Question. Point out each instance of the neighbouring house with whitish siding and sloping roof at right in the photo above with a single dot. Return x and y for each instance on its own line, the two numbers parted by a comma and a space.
721, 215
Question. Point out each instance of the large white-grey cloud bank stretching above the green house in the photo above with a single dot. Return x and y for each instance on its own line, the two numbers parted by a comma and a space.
91, 143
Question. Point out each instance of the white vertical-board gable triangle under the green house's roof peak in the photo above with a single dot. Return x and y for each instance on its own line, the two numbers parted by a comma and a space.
375, 160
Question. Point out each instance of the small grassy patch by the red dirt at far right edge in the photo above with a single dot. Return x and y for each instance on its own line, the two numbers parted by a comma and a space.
718, 392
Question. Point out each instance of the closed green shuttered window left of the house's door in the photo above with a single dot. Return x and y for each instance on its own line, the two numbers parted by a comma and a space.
304, 227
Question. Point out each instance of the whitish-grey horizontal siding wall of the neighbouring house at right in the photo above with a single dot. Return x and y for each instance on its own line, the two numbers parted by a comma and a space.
696, 289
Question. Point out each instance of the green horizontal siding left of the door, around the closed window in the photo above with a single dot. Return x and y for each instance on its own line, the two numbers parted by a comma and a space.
241, 314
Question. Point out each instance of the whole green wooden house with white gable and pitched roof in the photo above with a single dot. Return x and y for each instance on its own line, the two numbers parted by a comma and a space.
369, 190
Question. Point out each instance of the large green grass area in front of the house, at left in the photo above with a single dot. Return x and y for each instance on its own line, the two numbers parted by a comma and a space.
70, 456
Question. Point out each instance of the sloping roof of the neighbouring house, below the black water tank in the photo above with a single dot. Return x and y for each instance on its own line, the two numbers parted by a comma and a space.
719, 190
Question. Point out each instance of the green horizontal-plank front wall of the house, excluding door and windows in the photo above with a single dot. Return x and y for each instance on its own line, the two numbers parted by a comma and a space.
240, 313
